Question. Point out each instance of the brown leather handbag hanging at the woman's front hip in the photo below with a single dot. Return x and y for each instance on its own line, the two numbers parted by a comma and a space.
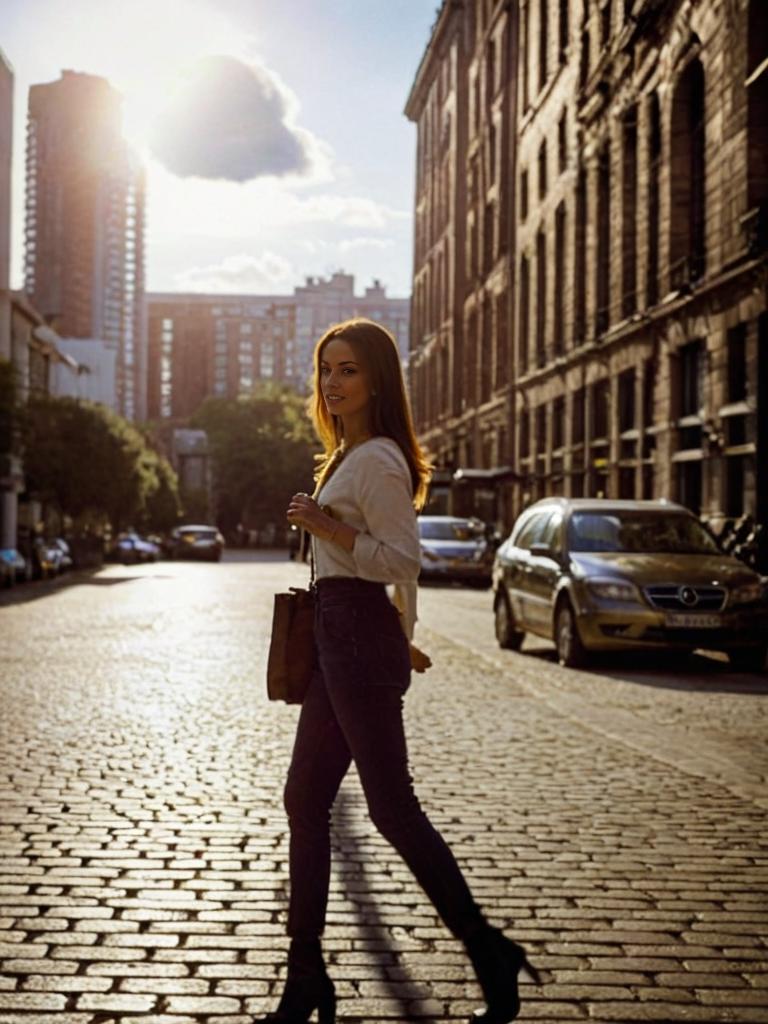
293, 656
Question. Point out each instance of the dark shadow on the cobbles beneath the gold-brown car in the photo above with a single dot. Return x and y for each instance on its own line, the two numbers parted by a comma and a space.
668, 671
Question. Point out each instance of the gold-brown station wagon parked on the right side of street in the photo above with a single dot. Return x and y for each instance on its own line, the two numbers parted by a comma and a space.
599, 575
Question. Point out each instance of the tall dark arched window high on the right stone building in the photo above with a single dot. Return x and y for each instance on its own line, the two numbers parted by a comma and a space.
689, 172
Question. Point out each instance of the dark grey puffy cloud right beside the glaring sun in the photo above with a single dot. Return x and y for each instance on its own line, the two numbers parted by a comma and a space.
232, 121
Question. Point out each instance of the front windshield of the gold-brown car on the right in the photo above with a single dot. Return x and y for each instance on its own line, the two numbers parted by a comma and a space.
654, 533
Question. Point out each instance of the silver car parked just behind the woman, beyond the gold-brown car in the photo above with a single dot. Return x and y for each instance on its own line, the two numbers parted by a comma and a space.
455, 549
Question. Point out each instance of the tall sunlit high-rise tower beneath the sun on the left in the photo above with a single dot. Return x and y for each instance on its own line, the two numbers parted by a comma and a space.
86, 225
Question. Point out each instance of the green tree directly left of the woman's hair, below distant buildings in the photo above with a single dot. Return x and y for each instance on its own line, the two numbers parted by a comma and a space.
263, 448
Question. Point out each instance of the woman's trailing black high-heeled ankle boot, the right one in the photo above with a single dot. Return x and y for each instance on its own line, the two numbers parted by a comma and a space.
498, 961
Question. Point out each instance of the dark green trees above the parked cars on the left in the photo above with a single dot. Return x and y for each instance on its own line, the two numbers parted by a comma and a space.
93, 464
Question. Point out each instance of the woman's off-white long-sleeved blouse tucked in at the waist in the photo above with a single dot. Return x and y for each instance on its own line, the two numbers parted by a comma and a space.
372, 491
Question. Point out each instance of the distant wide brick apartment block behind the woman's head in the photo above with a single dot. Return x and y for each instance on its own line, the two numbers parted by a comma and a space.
225, 346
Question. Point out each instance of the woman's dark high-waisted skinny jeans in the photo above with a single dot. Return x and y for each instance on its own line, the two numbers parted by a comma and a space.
354, 712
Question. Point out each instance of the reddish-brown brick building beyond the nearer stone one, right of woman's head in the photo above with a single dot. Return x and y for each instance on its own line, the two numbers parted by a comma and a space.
463, 102
